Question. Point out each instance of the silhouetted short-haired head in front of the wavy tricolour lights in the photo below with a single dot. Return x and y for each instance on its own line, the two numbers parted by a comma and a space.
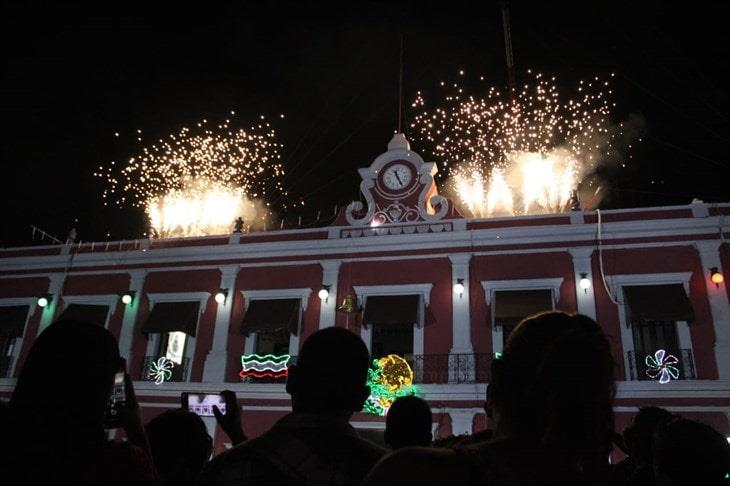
330, 374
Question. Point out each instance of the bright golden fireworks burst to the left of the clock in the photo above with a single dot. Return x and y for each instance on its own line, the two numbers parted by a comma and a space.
198, 181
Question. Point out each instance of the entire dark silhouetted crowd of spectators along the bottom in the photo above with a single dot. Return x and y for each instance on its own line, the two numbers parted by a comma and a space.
549, 401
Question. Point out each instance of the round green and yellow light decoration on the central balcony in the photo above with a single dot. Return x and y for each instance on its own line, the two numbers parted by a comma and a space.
390, 377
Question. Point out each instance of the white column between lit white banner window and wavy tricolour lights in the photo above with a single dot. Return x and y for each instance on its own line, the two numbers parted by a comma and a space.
217, 359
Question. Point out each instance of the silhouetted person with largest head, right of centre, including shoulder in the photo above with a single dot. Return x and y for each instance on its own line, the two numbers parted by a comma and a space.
550, 397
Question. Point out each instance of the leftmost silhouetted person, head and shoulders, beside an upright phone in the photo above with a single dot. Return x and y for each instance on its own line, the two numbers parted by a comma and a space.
55, 432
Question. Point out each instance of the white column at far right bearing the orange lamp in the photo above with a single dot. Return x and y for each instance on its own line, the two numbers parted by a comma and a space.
717, 296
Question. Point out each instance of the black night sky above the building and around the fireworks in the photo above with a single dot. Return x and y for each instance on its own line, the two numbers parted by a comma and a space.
73, 75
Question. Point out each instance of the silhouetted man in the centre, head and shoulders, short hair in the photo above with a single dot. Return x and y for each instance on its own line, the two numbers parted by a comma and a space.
314, 444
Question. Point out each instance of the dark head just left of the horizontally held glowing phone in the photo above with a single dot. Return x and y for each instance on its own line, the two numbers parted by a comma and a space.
180, 445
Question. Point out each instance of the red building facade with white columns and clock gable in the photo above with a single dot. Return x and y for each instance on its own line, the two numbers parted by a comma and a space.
409, 274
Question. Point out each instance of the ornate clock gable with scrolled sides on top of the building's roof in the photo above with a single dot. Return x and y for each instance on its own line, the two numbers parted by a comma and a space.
398, 187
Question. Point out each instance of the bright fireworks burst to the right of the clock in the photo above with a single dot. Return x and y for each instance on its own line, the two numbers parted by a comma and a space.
521, 155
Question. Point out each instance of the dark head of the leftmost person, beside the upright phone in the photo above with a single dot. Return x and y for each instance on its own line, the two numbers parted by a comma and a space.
67, 376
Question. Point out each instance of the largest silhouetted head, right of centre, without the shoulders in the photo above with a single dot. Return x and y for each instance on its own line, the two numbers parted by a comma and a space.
554, 386
